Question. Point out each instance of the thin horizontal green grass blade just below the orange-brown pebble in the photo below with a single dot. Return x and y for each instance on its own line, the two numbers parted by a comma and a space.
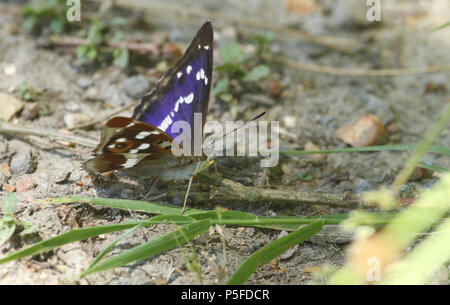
433, 149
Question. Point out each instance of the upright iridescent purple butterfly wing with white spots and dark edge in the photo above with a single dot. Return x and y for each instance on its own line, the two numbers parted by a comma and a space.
184, 89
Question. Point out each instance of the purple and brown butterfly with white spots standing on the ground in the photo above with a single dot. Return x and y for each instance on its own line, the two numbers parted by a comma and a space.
141, 145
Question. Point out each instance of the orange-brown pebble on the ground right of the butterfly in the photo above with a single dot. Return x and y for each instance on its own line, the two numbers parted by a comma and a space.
366, 131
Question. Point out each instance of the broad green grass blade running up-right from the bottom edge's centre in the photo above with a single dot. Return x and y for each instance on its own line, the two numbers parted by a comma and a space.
271, 251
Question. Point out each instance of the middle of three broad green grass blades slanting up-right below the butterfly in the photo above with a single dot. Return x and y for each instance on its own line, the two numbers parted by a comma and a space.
155, 246
